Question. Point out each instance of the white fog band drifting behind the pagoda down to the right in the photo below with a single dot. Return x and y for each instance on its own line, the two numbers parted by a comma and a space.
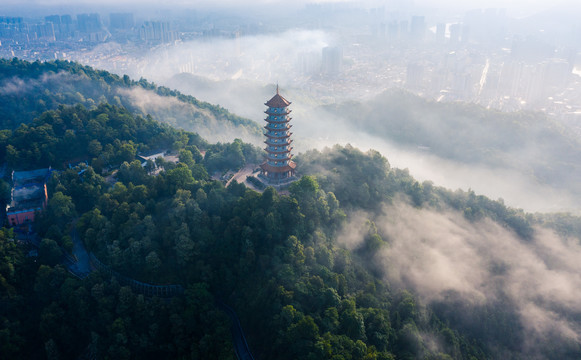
240, 75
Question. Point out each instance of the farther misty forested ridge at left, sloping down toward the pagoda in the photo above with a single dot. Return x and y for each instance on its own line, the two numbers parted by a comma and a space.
28, 89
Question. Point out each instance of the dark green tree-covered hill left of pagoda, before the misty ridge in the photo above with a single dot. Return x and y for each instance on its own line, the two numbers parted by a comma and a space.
106, 136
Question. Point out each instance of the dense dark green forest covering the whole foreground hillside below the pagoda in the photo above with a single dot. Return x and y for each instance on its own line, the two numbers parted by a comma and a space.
304, 284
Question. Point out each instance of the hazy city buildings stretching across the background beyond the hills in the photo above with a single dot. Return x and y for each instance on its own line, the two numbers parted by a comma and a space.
482, 56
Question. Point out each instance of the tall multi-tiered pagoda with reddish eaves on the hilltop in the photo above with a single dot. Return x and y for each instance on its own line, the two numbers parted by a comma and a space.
278, 169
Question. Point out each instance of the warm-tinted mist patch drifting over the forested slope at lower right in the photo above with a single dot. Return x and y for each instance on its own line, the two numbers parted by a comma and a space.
445, 258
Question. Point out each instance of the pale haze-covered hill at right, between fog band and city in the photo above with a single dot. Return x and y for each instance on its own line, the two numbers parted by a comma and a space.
530, 143
